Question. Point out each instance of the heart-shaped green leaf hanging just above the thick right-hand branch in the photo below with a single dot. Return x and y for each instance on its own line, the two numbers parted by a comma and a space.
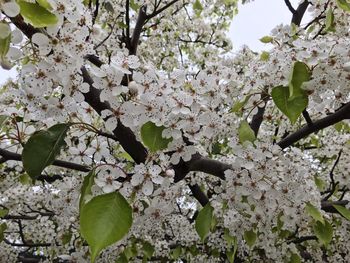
291, 107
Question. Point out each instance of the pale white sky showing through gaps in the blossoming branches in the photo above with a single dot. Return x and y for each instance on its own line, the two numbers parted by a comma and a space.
253, 21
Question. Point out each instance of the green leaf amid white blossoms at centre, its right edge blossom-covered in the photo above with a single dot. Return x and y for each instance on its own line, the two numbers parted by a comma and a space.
151, 136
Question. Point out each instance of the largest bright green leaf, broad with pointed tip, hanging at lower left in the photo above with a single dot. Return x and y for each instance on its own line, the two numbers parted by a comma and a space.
104, 220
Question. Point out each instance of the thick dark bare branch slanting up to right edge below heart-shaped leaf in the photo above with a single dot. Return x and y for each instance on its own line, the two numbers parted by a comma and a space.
341, 114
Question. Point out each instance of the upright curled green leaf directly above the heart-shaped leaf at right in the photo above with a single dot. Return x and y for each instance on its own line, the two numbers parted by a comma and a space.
300, 74
